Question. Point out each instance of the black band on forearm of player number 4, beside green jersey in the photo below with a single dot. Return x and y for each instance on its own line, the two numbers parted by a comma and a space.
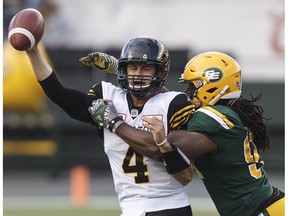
175, 161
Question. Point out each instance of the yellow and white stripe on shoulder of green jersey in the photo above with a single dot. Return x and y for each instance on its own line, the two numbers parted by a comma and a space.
219, 117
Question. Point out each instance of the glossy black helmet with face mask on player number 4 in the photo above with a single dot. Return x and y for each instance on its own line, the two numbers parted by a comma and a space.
145, 50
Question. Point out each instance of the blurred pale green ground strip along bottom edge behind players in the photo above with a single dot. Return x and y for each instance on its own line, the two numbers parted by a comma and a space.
96, 206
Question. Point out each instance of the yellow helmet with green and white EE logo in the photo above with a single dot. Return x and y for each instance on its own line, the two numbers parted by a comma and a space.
212, 76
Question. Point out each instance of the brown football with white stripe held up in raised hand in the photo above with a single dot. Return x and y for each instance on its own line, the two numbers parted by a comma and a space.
26, 29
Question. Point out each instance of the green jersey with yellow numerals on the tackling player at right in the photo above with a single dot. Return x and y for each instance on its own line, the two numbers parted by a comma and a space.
234, 175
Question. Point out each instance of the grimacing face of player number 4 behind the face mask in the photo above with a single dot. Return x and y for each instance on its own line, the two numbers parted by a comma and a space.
140, 75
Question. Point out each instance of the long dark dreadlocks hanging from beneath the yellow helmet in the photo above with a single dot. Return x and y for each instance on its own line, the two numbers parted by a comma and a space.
252, 117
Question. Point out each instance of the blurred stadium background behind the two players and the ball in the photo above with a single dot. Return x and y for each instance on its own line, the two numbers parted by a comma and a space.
43, 148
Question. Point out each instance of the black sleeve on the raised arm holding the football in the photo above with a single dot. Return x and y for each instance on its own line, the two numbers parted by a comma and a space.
73, 102
